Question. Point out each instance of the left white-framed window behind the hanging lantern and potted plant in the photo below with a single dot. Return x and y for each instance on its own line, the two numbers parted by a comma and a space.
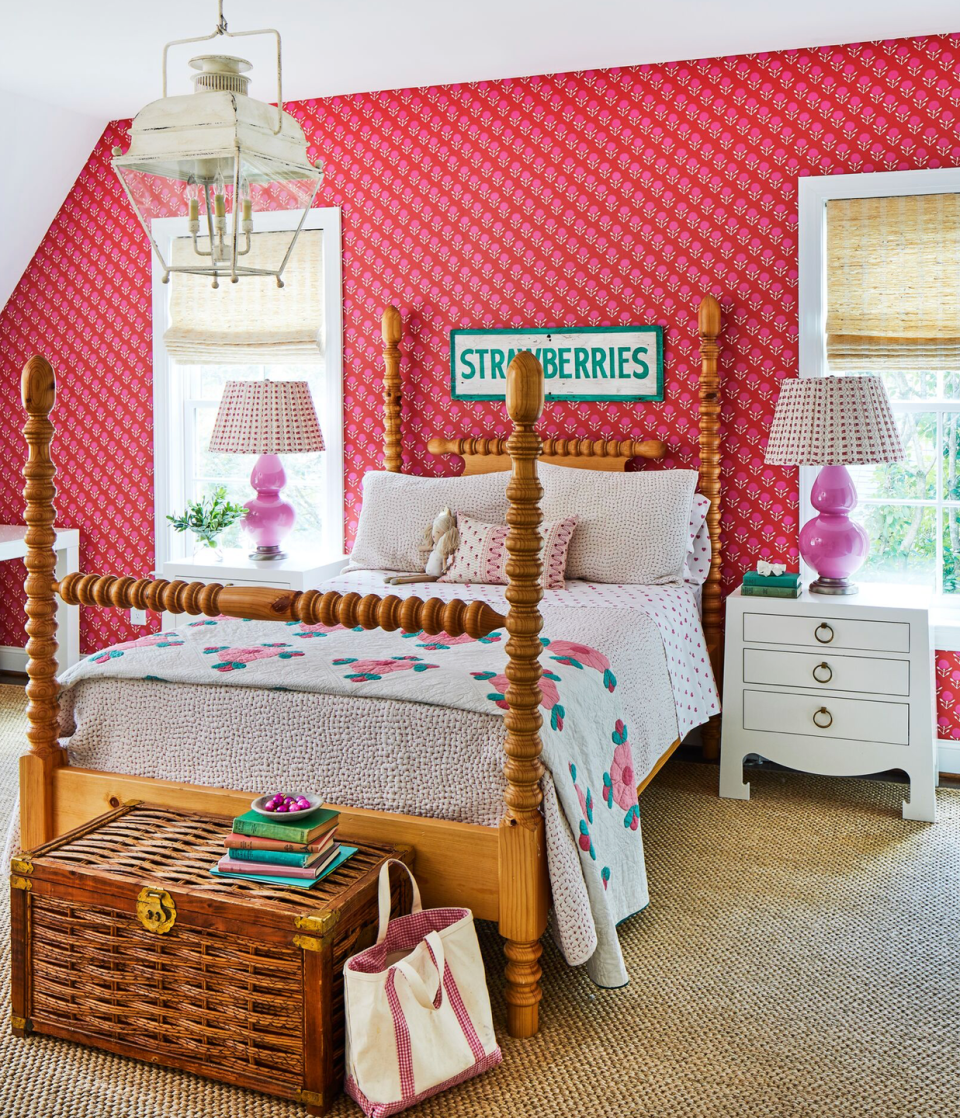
189, 382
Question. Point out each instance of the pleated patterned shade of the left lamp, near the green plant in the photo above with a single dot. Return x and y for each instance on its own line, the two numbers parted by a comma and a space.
267, 418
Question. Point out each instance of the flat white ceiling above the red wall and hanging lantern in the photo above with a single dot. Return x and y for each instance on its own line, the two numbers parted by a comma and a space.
103, 58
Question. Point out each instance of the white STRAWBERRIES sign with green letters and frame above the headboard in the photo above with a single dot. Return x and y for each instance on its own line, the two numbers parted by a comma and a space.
586, 364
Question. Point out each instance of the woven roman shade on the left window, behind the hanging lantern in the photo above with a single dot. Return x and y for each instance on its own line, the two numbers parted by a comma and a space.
253, 323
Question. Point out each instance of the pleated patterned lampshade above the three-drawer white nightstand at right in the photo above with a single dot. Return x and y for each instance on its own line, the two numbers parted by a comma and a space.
833, 422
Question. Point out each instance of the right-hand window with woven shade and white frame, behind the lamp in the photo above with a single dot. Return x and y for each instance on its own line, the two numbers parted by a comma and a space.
880, 293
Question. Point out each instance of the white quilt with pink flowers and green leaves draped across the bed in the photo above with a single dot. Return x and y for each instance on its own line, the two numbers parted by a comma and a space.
586, 733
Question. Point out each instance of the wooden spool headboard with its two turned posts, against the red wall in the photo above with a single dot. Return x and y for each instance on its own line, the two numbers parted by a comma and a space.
487, 456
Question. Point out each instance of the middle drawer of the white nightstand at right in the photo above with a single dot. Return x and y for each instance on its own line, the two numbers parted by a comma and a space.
826, 671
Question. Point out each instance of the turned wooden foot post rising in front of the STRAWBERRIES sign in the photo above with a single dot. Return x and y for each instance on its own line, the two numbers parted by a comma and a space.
524, 888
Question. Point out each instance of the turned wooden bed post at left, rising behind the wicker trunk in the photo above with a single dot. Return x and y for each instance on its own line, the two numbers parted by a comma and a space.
40, 393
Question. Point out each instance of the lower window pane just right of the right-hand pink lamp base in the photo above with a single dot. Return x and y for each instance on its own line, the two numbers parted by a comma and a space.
904, 545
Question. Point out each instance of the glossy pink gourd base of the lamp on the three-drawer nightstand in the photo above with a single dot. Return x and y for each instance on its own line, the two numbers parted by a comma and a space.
832, 544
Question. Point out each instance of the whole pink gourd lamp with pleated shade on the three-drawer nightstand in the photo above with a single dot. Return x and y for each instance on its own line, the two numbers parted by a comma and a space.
834, 423
